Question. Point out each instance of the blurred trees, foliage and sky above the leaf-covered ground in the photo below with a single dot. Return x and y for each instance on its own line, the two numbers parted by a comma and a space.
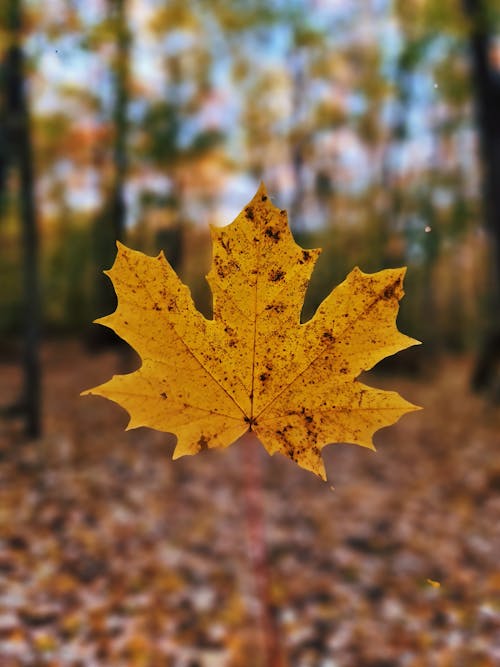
146, 121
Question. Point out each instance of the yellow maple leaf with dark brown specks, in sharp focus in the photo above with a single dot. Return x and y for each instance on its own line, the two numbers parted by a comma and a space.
254, 366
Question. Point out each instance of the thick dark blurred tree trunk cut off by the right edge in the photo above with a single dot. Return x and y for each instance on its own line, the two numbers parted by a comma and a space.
486, 81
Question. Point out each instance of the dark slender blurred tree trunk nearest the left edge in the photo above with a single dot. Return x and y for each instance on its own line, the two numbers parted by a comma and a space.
19, 156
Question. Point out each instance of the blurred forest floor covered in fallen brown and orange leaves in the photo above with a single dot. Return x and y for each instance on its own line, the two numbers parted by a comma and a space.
113, 554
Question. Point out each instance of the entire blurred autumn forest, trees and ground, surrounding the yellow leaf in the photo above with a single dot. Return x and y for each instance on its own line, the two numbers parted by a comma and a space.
376, 123
